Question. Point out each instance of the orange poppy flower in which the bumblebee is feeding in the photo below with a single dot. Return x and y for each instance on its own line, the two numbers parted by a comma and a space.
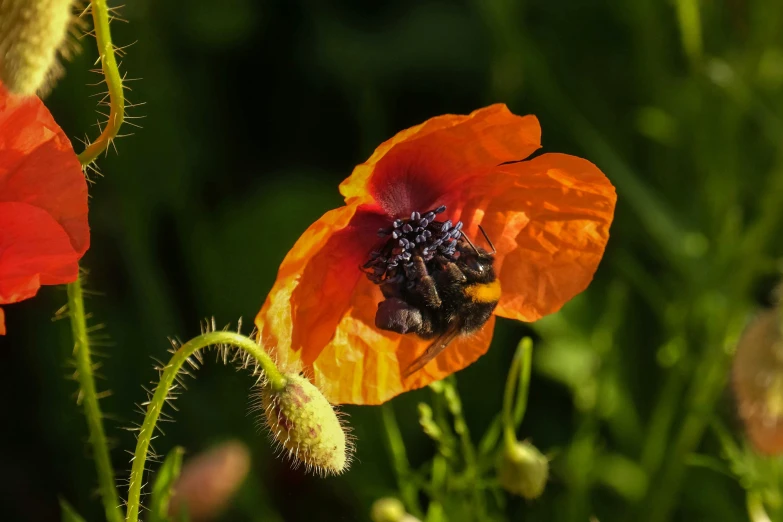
548, 218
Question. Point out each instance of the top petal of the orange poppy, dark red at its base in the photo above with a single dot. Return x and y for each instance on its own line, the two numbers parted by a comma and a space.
411, 170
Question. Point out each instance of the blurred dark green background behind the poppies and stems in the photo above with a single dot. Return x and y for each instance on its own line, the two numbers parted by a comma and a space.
254, 111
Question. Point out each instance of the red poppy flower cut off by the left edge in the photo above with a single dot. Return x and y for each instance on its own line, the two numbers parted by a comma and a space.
43, 201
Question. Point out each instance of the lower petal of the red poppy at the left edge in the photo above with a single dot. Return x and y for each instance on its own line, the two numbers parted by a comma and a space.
36, 251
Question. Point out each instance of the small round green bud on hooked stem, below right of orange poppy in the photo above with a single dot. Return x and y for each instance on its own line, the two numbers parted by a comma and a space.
523, 470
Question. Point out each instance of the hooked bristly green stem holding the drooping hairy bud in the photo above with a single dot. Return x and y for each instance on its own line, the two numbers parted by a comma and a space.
276, 380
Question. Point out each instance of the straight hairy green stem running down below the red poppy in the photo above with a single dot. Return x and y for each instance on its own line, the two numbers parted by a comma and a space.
92, 410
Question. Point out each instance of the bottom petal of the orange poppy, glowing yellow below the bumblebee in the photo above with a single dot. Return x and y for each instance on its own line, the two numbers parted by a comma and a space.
363, 365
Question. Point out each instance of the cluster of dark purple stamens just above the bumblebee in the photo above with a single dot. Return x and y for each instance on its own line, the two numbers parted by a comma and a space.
420, 235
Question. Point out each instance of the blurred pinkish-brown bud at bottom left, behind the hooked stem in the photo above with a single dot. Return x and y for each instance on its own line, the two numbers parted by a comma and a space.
209, 480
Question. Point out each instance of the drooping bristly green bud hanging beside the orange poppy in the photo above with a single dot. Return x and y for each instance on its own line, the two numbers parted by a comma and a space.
303, 422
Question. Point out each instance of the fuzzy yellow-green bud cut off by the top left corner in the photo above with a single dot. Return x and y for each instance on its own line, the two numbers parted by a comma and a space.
31, 34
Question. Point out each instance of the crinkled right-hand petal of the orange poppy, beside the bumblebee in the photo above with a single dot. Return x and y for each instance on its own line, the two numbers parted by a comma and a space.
549, 219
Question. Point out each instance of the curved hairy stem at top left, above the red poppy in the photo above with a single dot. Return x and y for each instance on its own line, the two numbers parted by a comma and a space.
100, 17
